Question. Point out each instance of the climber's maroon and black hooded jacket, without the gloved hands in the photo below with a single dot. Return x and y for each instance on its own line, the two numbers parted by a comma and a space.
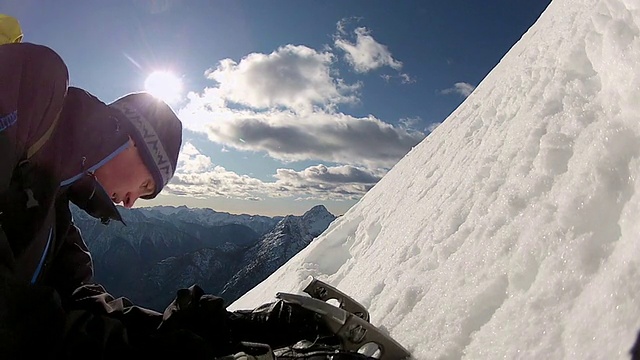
51, 137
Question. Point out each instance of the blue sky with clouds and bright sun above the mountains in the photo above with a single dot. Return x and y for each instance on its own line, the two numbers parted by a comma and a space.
286, 104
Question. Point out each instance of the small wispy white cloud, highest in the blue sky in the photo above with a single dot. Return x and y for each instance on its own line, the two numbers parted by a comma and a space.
366, 53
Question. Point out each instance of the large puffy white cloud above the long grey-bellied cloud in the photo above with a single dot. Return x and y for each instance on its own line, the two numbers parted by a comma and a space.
292, 76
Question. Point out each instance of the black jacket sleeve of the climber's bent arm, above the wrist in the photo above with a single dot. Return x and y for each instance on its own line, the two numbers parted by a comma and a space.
95, 320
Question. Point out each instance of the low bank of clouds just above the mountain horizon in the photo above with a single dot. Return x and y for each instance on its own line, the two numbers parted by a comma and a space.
197, 177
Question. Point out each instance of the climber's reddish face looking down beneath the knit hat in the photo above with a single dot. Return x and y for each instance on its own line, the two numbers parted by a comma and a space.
125, 177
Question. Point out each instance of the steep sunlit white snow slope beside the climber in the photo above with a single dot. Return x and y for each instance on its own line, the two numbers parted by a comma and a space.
513, 230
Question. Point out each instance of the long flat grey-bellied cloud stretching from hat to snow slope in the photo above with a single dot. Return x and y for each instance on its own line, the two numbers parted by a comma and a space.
319, 135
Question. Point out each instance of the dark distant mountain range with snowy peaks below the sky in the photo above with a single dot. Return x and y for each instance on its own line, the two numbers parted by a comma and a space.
162, 249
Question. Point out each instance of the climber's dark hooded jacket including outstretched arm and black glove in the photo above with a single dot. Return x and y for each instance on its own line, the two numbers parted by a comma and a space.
51, 136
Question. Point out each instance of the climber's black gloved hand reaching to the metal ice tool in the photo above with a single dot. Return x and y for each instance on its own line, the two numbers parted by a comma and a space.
200, 324
